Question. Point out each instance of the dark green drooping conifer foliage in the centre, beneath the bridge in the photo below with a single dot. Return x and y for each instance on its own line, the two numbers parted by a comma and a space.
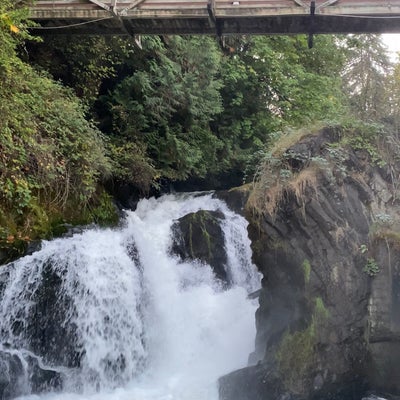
165, 107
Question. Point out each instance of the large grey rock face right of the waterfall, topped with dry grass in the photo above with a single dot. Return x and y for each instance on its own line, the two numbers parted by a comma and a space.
328, 325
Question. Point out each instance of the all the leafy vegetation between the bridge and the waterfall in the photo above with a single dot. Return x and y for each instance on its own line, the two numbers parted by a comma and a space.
78, 112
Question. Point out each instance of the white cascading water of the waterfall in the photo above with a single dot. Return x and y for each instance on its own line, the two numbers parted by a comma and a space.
126, 319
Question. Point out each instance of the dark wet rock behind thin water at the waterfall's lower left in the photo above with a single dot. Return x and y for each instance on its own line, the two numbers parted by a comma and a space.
50, 340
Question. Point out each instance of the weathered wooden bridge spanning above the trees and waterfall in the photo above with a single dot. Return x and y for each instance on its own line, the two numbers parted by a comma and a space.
219, 17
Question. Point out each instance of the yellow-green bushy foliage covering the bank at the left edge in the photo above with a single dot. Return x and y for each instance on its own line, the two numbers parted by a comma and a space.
51, 157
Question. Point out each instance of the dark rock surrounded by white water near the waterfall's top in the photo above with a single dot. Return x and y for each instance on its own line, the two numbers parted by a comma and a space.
198, 236
